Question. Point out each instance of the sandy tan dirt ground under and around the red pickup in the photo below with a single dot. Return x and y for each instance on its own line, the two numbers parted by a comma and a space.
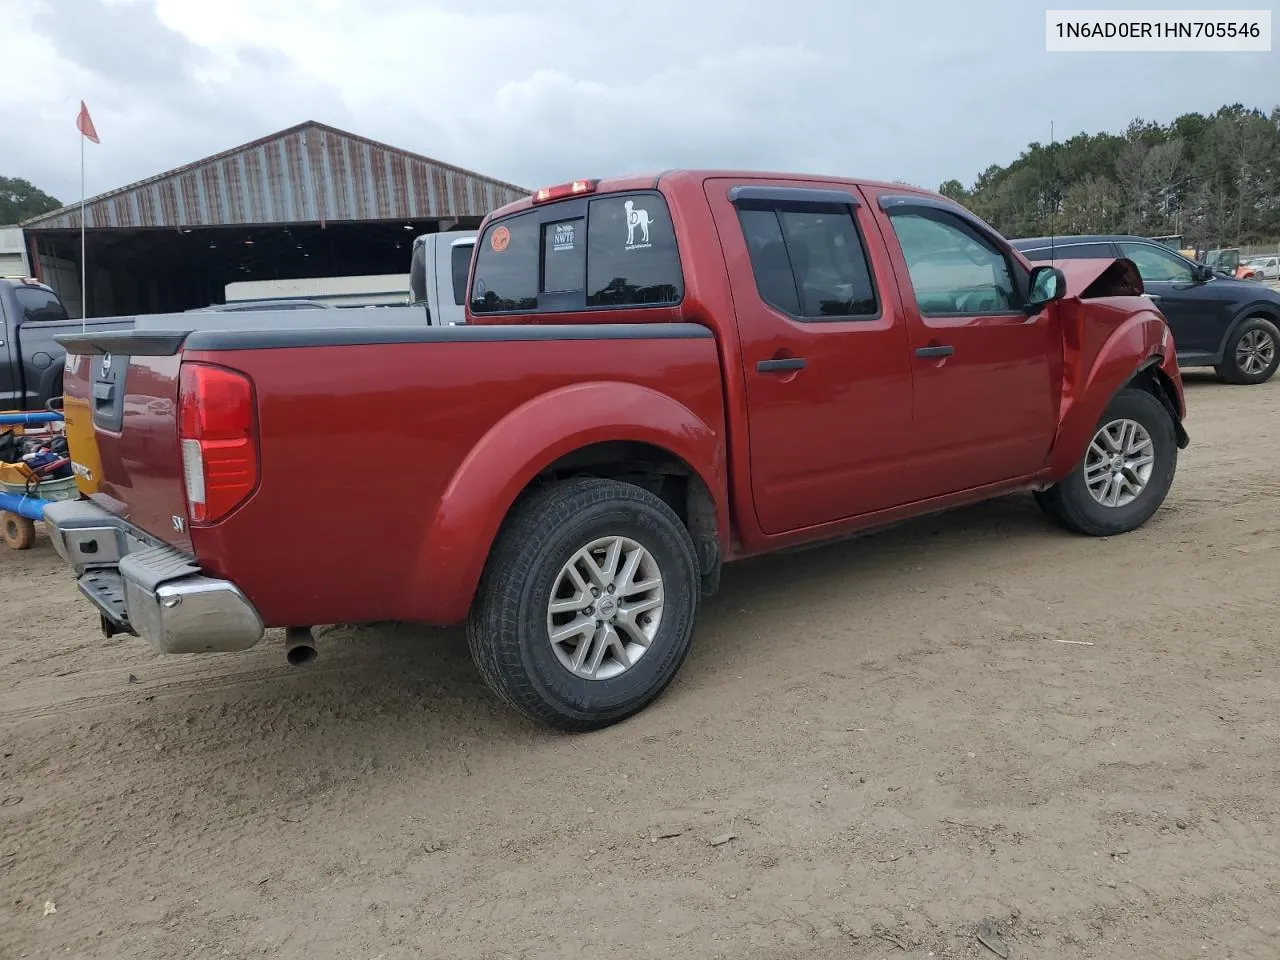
874, 748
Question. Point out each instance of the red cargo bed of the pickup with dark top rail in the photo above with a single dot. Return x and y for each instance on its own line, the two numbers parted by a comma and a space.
364, 431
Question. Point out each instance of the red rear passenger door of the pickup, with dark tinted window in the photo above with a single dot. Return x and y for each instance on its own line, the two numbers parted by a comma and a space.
824, 350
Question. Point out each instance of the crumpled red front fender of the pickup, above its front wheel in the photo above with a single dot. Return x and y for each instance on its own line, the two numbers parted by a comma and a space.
1105, 344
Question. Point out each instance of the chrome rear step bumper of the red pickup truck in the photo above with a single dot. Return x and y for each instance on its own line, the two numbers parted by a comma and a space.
150, 591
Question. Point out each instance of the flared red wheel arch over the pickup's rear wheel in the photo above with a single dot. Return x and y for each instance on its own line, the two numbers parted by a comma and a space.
524, 444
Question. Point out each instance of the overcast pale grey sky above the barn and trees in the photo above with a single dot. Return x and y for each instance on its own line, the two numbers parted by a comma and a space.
542, 92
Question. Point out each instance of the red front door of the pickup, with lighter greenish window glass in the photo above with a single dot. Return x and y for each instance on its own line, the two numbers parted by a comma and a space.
988, 374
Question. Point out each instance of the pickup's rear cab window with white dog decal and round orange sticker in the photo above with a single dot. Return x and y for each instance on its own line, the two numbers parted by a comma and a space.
587, 254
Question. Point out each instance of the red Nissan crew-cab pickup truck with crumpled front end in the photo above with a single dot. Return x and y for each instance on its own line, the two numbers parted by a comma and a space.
659, 376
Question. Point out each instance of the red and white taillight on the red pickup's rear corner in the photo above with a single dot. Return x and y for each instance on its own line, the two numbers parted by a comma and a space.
220, 450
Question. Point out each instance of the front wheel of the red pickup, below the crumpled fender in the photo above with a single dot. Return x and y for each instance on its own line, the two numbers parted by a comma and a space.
1116, 488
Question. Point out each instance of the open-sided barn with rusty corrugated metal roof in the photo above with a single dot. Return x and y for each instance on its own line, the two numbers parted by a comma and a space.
305, 203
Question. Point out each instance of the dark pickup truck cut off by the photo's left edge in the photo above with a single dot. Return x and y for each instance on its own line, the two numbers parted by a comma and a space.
31, 360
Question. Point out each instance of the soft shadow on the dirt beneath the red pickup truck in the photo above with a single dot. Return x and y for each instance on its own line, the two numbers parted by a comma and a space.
388, 702
